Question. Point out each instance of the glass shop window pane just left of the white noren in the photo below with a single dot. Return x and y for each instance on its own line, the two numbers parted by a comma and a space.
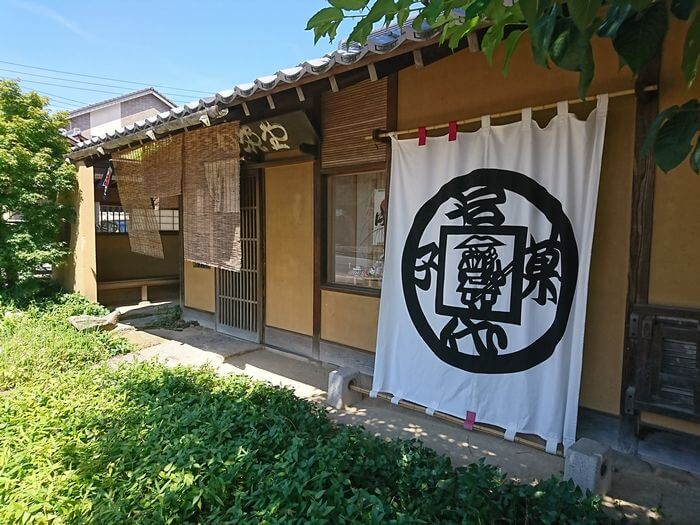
356, 218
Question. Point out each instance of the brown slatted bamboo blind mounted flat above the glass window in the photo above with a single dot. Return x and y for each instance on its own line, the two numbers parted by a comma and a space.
348, 116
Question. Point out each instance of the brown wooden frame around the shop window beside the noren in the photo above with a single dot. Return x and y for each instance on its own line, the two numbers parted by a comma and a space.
326, 175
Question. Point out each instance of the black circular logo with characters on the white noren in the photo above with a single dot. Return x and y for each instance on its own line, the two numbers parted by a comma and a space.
489, 272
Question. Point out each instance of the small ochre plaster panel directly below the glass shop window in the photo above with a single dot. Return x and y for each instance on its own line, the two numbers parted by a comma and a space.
349, 319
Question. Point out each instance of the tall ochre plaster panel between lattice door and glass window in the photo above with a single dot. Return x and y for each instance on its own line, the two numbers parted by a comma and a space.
289, 269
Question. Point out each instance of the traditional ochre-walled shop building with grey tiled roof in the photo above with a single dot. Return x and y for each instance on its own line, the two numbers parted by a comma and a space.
312, 206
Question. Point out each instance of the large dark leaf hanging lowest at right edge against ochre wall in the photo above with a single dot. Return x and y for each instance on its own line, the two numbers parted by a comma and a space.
674, 139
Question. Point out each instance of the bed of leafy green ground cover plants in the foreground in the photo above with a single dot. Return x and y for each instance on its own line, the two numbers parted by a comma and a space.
84, 442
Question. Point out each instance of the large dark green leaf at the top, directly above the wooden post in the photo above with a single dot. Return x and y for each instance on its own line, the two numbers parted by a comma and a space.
640, 37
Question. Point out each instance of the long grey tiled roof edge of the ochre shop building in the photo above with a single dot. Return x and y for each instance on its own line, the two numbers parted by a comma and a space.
380, 42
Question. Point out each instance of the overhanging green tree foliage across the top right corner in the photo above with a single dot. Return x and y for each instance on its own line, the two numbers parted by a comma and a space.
560, 36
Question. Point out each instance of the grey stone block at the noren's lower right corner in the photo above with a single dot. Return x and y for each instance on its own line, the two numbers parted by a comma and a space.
588, 464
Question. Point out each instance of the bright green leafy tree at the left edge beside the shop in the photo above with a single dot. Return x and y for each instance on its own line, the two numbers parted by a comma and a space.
35, 182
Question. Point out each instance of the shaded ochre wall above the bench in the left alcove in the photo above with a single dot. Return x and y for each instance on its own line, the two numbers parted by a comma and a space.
116, 261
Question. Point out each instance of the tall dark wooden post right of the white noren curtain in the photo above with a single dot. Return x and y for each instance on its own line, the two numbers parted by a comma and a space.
643, 178
